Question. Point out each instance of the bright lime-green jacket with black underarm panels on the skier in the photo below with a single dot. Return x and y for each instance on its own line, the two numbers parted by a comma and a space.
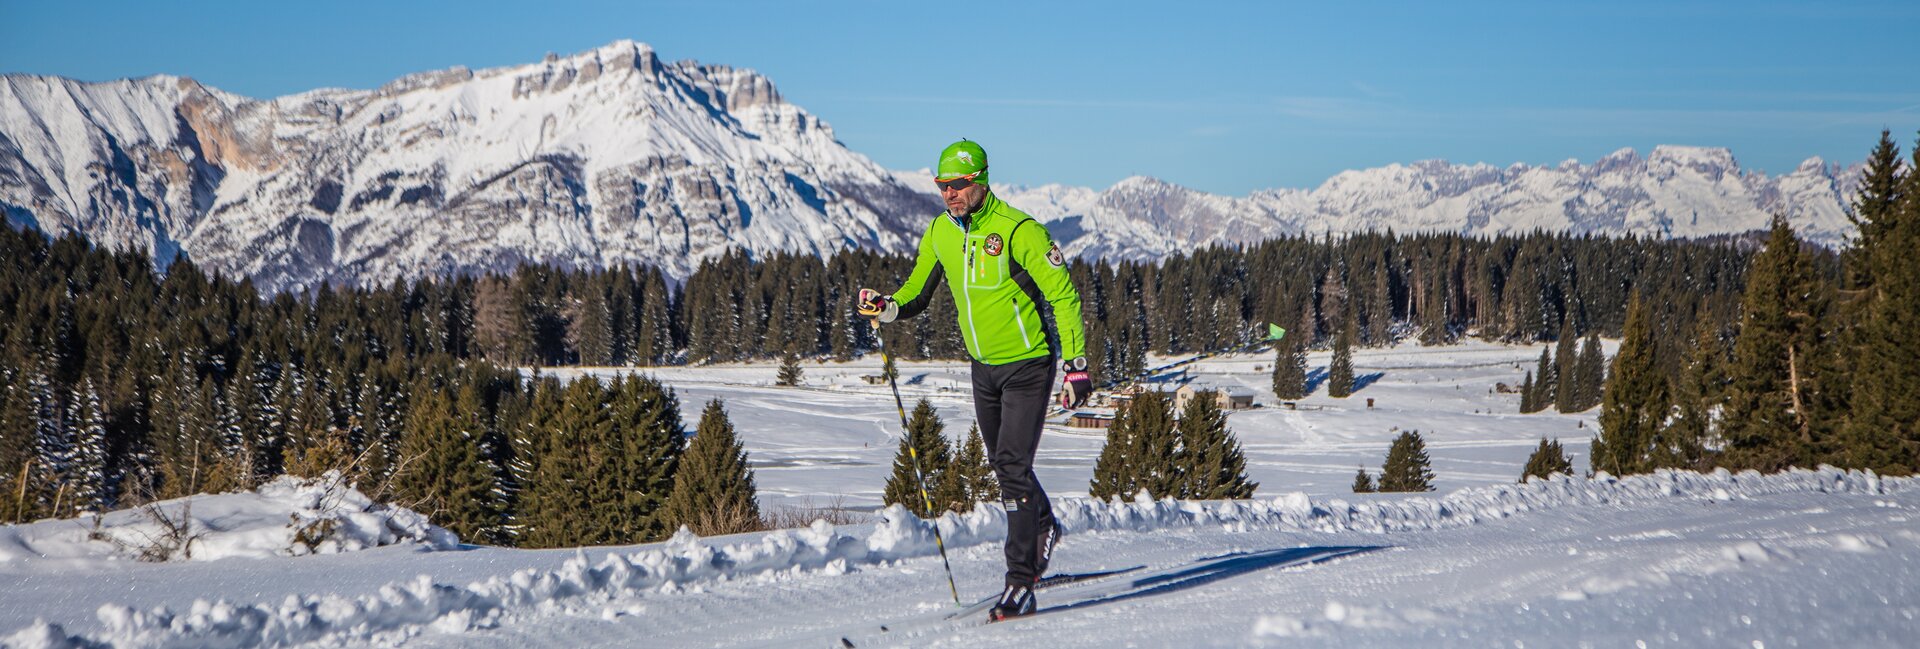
1005, 274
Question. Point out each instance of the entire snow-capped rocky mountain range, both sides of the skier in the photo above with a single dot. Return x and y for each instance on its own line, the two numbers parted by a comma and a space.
613, 156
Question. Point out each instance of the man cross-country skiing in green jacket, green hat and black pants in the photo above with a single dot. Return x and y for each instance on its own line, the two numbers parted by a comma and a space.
1009, 279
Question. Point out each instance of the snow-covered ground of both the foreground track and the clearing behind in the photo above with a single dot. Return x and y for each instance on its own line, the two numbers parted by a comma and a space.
1802, 560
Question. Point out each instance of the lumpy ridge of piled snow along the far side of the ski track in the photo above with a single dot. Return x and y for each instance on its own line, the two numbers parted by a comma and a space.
683, 564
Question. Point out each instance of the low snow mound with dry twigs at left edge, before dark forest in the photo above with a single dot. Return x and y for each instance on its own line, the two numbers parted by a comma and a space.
287, 517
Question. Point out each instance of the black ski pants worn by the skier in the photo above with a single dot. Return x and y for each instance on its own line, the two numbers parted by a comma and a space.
1011, 404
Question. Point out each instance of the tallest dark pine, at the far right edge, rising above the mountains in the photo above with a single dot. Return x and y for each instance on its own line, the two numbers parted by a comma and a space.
1884, 427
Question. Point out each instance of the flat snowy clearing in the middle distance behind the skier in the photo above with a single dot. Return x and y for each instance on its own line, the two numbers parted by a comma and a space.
836, 437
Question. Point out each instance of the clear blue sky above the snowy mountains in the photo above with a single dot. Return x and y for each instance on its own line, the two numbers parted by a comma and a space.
1224, 97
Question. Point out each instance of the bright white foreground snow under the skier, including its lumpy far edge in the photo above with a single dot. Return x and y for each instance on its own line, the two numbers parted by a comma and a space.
1808, 558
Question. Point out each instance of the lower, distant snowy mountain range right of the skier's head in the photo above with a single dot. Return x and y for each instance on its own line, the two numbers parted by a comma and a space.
1673, 193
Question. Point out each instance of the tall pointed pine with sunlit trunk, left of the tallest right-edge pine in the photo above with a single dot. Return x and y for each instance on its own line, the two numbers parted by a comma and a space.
1769, 420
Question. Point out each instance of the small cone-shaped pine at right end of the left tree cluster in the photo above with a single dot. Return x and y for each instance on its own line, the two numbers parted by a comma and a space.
713, 491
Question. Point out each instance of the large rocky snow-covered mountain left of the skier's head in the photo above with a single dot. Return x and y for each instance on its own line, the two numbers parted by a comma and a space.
602, 158
